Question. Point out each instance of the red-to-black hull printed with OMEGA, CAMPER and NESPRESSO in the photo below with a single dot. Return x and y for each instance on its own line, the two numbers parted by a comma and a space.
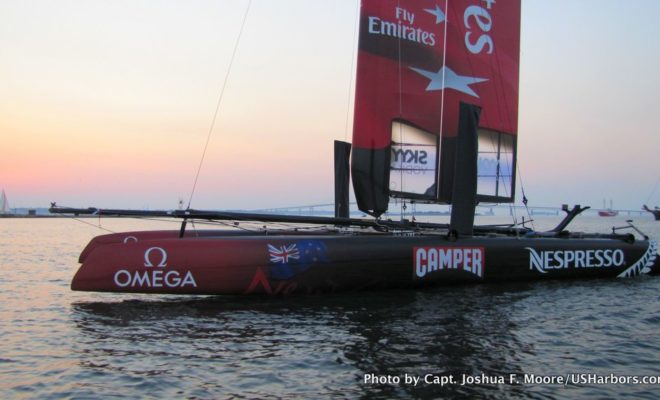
226, 263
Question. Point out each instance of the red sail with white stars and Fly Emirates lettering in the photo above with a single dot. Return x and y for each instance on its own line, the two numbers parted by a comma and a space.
417, 60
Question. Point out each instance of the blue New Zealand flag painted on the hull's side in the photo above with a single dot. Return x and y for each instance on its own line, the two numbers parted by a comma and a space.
289, 260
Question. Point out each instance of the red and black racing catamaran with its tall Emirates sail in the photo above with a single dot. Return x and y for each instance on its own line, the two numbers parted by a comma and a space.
436, 121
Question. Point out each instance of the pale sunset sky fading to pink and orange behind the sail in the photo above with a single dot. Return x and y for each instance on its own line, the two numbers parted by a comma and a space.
109, 103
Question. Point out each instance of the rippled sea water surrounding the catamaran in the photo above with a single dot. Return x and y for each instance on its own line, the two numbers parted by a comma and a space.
55, 343
